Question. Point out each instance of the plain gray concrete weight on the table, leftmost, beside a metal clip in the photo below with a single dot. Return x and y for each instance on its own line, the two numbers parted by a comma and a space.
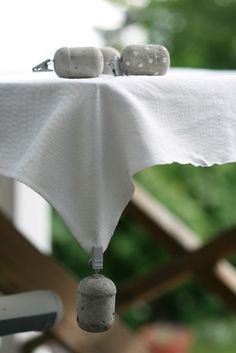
81, 62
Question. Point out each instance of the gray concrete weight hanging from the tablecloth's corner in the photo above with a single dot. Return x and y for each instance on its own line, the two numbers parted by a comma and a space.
96, 303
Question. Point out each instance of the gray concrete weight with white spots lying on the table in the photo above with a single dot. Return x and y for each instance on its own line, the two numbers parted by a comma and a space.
145, 60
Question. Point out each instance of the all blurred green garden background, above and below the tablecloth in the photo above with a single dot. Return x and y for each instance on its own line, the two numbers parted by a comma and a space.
198, 33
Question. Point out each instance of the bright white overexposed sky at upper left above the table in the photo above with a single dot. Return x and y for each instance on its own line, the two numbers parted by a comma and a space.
31, 31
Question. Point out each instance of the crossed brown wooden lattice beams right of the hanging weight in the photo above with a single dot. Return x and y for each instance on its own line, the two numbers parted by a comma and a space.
191, 257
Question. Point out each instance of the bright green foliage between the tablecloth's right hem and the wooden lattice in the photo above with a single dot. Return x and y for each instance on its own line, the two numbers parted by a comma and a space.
204, 198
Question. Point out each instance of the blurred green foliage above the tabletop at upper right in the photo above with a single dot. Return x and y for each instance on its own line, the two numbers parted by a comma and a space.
197, 33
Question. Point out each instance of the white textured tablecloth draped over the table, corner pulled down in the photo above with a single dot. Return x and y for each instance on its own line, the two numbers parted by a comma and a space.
78, 142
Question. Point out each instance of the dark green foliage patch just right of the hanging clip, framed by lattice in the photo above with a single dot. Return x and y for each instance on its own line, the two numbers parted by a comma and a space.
131, 253
